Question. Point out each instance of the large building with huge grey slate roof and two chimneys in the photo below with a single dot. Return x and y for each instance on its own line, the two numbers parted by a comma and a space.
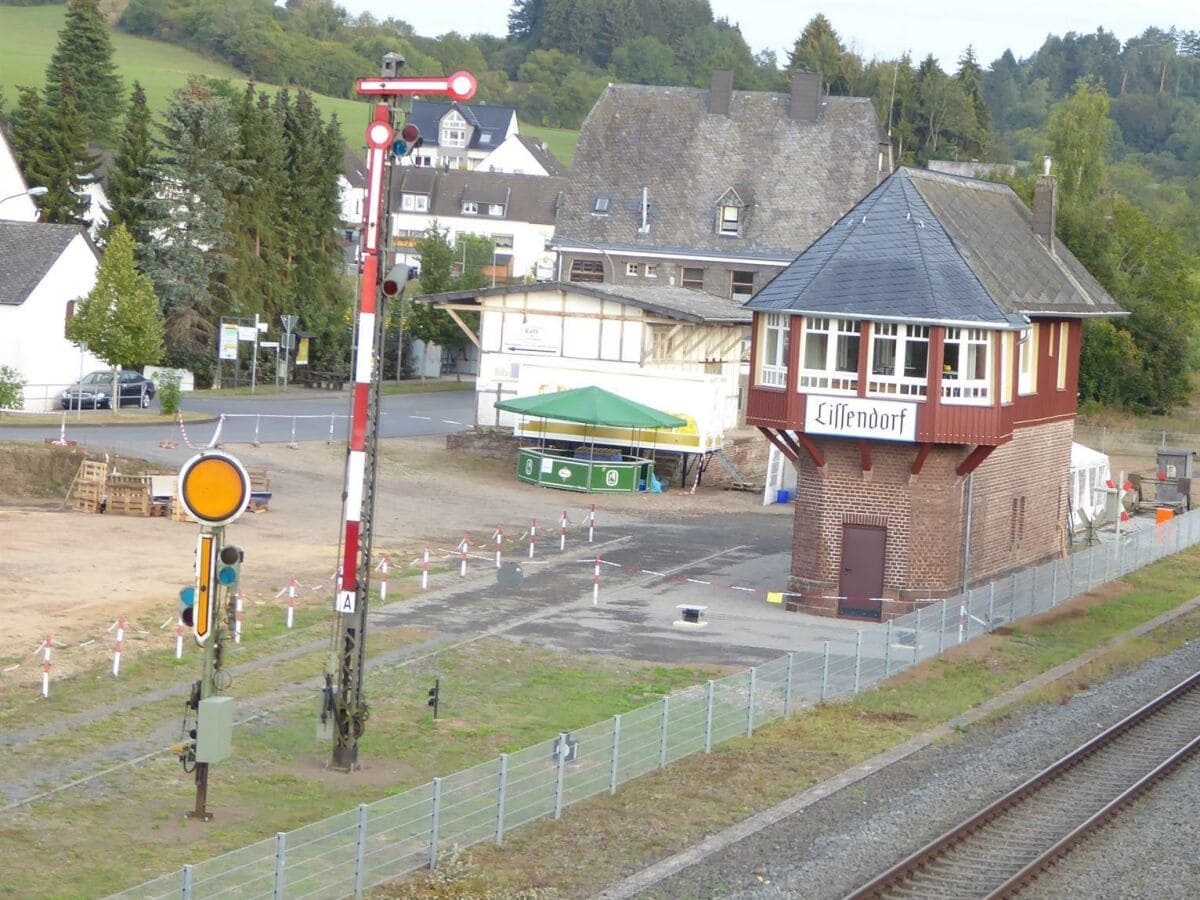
715, 190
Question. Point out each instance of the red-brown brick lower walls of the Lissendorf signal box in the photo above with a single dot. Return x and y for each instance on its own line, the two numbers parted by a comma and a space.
1019, 500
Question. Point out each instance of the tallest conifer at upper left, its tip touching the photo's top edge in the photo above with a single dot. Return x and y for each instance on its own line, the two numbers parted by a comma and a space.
85, 55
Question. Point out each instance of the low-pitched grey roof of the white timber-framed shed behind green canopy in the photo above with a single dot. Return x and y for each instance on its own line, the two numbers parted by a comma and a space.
669, 302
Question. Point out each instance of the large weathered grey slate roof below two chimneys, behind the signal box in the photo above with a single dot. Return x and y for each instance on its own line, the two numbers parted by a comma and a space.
796, 178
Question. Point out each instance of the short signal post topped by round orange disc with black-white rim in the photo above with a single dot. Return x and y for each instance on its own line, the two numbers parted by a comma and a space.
214, 489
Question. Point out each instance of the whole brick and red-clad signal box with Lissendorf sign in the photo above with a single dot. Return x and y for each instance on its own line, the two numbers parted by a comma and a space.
919, 364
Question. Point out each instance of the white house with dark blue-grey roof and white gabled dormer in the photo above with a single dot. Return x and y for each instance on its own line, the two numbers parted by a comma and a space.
459, 136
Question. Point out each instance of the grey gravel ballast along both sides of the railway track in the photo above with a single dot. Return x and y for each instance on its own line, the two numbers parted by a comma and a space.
843, 842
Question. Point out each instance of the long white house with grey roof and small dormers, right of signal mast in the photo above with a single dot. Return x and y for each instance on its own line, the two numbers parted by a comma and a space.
515, 212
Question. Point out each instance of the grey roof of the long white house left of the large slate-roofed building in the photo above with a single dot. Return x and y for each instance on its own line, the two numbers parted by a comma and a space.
526, 199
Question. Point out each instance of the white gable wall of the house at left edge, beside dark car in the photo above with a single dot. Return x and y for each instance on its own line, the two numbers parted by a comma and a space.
33, 335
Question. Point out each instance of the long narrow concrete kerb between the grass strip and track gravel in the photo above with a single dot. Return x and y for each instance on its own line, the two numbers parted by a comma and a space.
727, 838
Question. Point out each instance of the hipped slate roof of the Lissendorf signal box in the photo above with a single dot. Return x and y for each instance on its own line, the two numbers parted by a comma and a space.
937, 249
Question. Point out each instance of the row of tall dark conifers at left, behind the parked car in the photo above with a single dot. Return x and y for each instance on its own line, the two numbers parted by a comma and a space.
231, 203
